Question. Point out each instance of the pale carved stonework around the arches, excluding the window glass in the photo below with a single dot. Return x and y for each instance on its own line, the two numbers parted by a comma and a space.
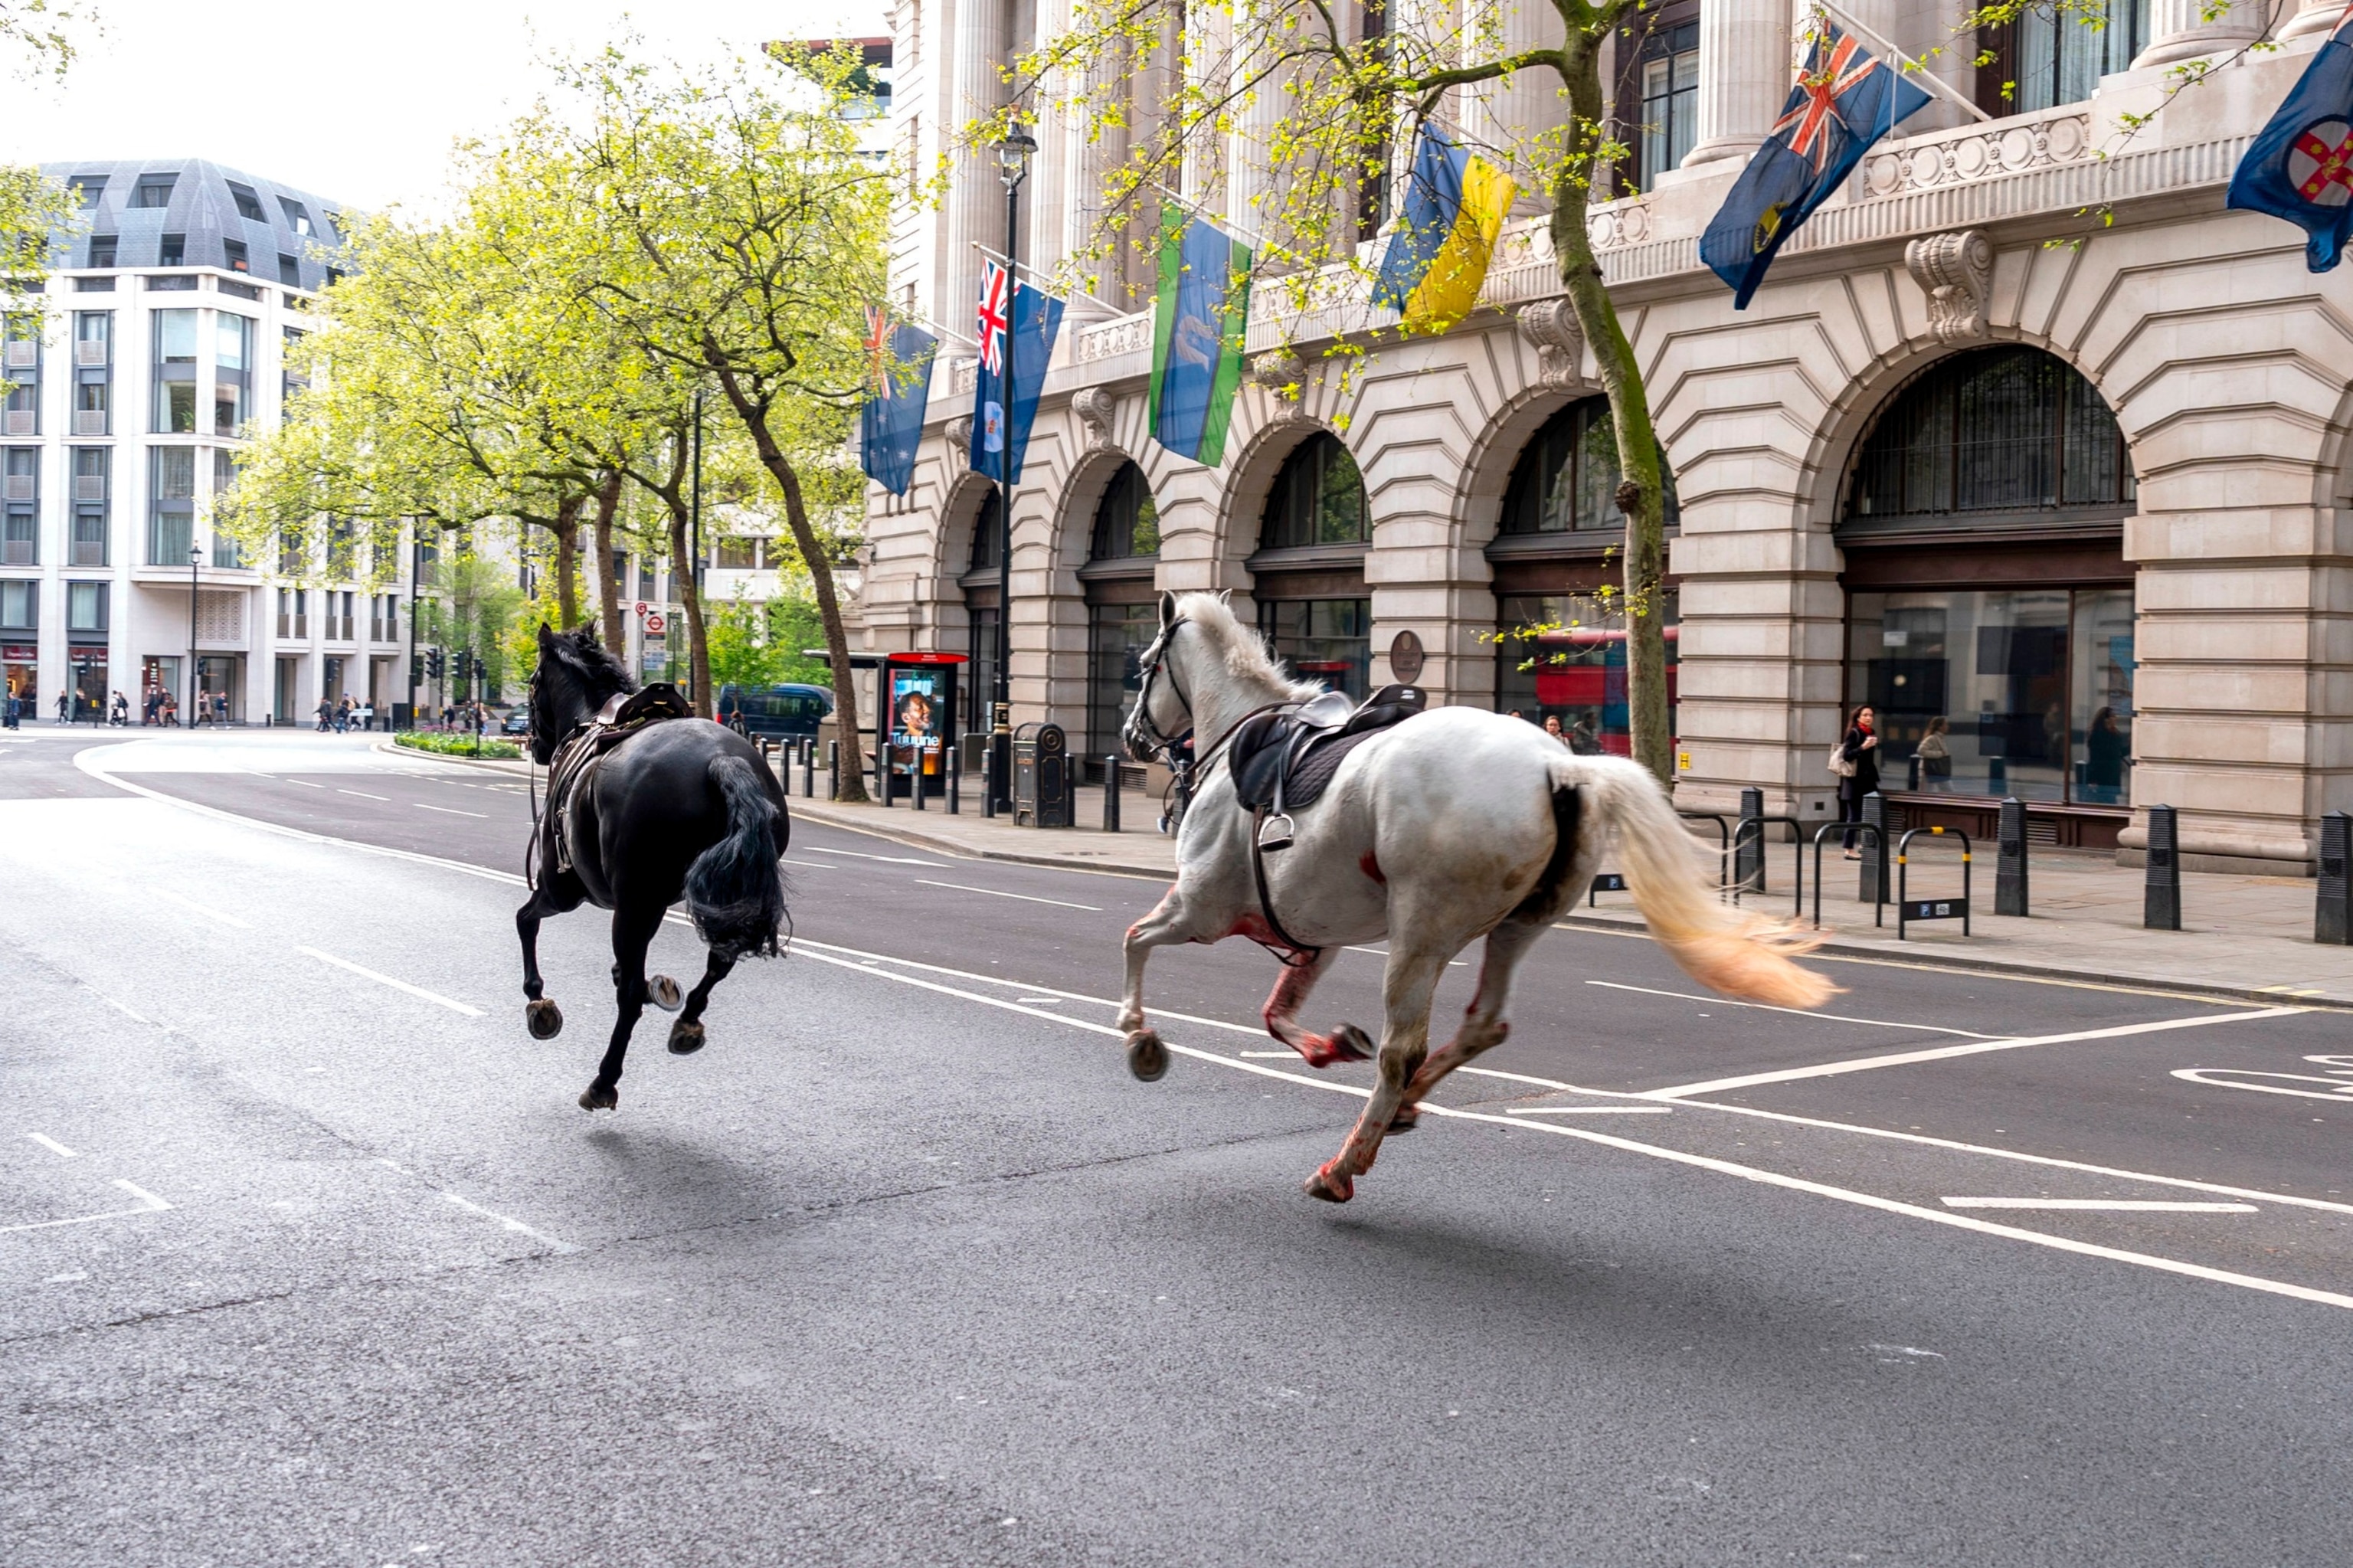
2227, 368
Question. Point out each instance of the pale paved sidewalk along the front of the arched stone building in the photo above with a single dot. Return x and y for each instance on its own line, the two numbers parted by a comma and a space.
2244, 936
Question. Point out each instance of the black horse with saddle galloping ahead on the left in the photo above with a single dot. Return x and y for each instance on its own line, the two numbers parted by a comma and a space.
676, 809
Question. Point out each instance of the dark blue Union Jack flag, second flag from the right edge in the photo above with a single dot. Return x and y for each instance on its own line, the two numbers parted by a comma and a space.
1844, 102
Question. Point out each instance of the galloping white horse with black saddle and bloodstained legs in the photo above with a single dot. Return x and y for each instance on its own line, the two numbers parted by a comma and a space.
1448, 828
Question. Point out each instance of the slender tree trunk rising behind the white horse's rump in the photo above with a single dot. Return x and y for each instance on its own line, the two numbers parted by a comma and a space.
1641, 496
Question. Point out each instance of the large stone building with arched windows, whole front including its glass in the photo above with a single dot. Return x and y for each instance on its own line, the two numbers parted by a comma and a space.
2027, 441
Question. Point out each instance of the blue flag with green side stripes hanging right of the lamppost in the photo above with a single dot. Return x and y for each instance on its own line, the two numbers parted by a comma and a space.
1199, 335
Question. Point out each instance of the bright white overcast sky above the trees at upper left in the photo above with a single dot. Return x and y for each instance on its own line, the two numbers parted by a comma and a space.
352, 100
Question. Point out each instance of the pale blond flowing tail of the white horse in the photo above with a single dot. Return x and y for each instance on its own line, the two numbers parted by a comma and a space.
1719, 945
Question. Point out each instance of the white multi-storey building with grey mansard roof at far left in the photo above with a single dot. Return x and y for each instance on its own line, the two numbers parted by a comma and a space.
156, 350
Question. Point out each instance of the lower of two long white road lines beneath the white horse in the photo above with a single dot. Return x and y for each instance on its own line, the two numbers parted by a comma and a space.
1679, 1157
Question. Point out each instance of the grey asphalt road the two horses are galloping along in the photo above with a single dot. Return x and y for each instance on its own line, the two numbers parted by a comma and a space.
307, 1254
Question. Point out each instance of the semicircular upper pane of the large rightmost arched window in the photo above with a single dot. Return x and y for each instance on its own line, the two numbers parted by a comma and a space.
1992, 434
